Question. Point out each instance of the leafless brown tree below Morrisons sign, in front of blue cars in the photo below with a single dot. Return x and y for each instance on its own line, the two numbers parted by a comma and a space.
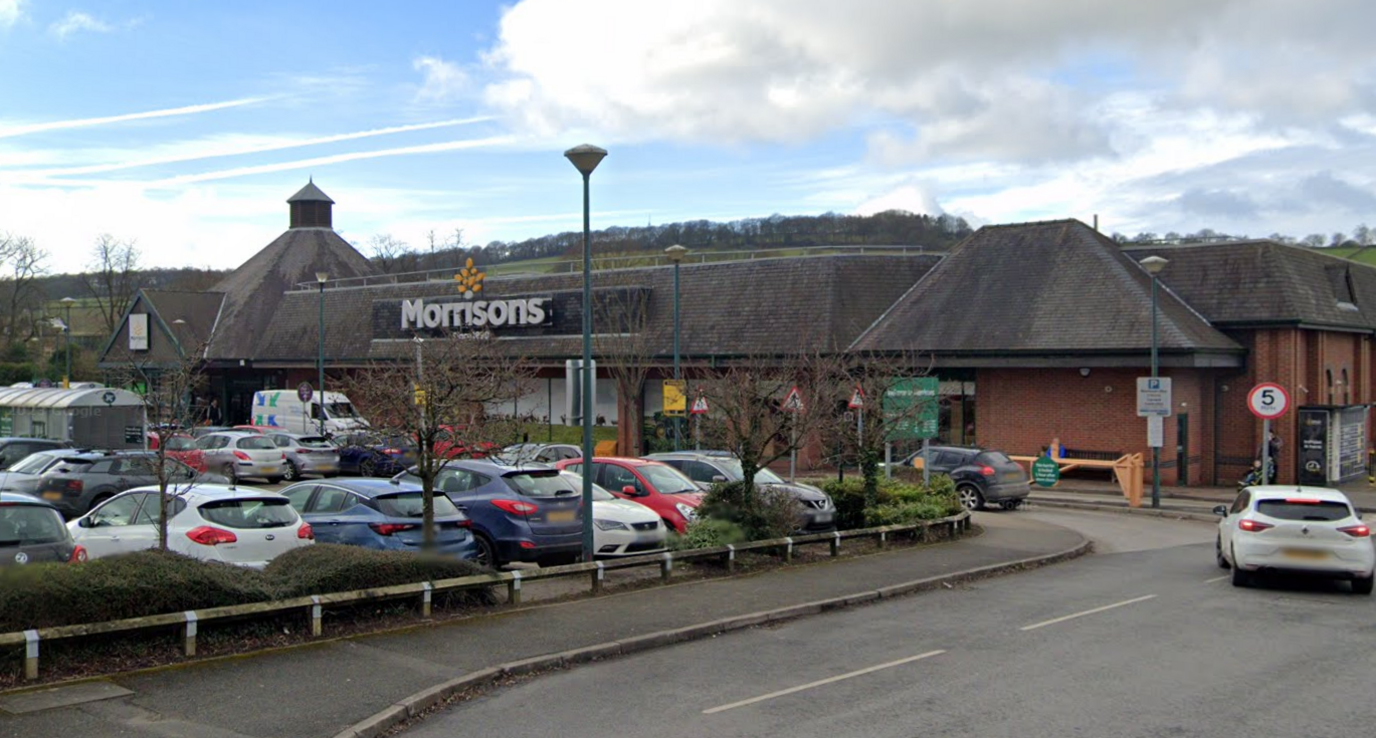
440, 403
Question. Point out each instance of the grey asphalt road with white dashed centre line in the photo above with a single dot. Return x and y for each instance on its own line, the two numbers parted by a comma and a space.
1144, 640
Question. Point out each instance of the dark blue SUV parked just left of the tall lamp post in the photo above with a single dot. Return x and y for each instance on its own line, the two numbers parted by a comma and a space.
525, 513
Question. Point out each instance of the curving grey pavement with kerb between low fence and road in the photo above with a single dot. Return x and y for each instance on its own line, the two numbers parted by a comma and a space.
363, 686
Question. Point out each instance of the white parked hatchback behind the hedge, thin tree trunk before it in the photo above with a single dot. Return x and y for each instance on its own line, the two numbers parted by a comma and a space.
214, 523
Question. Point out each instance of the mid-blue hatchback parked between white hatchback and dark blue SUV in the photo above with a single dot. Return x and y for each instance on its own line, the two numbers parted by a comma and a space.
379, 514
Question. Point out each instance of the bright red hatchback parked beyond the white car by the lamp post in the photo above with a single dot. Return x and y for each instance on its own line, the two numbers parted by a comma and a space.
653, 484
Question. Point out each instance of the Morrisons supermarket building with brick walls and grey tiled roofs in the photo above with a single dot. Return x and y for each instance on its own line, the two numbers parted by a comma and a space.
1037, 331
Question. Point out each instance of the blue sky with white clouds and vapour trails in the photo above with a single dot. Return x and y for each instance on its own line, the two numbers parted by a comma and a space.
186, 126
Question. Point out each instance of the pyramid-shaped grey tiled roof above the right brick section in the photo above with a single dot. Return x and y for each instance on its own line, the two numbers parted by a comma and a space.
1040, 288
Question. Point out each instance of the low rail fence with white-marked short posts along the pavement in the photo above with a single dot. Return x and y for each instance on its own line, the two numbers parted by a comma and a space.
314, 605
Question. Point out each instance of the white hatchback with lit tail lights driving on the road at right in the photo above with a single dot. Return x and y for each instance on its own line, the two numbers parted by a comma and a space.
1312, 531
